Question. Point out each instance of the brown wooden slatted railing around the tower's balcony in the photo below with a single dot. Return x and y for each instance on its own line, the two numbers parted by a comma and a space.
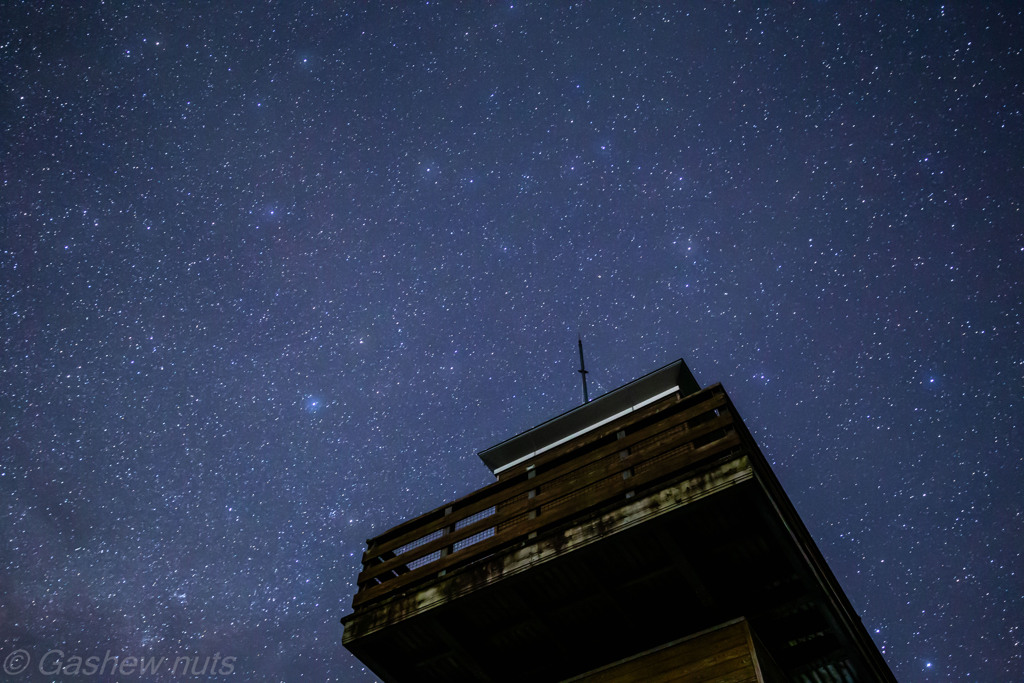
559, 487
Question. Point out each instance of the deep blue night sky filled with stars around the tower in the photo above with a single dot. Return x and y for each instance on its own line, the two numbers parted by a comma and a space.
273, 274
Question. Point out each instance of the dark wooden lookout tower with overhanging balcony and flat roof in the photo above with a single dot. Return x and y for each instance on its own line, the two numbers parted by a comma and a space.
641, 537
